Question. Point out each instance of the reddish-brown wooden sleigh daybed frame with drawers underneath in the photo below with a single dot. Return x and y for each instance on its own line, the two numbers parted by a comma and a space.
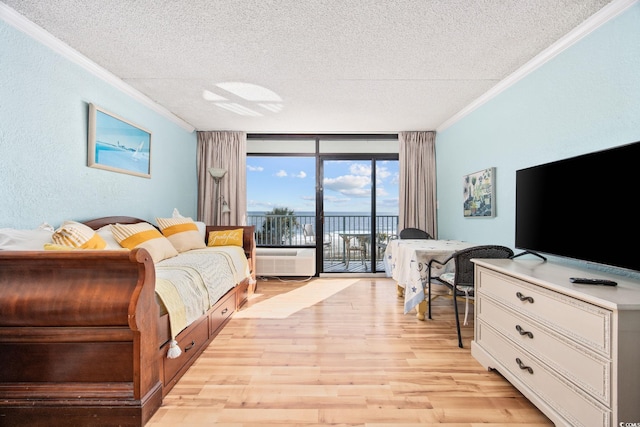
83, 339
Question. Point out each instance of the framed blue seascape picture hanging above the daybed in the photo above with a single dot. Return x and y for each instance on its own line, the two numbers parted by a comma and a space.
118, 145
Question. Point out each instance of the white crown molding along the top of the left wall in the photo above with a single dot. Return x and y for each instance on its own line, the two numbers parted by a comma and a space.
38, 33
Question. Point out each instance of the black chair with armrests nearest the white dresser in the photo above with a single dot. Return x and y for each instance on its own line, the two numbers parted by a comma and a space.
461, 281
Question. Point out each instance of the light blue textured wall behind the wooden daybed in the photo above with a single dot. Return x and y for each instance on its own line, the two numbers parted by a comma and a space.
43, 144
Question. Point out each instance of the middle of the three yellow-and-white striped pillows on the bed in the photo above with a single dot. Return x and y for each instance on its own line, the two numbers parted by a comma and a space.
144, 235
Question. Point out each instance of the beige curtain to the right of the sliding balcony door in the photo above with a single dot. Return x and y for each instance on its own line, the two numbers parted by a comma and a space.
418, 181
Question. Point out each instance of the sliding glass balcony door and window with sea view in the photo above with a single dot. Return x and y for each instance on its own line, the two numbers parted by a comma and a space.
301, 188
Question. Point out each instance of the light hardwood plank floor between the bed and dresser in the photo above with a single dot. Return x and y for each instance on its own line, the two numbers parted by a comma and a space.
352, 359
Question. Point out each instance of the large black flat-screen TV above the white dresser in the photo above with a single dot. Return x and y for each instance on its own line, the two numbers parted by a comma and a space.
584, 207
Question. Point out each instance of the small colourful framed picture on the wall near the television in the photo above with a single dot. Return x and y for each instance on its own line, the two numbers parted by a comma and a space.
479, 194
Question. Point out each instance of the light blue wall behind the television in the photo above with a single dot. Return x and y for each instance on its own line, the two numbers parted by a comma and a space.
585, 99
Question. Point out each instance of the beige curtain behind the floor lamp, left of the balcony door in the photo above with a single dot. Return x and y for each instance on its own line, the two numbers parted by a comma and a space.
226, 150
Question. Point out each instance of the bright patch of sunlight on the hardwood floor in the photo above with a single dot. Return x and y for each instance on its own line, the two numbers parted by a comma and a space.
284, 305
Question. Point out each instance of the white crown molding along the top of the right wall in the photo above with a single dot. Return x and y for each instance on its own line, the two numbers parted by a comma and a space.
600, 18
